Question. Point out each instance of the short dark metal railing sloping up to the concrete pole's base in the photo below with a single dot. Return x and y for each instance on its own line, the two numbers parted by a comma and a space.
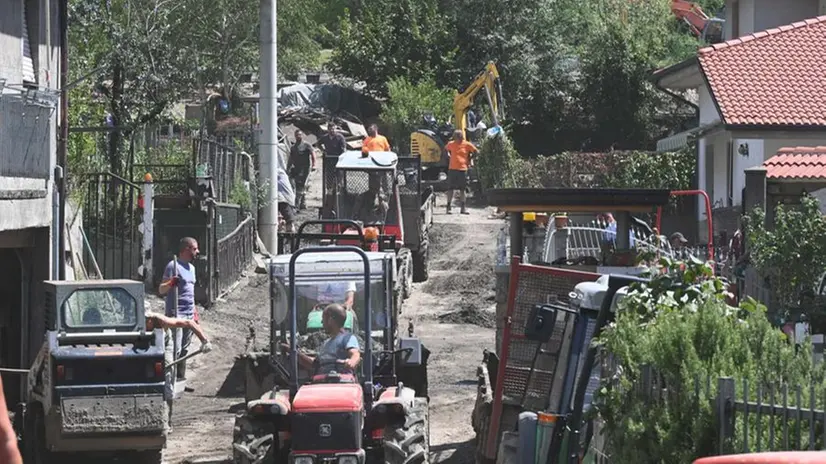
234, 254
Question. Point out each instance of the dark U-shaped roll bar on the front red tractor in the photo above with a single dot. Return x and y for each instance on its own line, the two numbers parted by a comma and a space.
367, 367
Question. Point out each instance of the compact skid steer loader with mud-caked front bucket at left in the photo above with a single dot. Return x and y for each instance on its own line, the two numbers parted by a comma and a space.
97, 385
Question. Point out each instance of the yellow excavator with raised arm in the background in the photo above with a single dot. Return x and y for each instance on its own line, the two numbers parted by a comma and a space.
429, 143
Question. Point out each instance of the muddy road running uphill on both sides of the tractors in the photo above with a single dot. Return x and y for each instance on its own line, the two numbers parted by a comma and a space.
453, 312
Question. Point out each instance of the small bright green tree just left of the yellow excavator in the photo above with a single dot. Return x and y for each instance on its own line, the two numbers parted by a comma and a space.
407, 103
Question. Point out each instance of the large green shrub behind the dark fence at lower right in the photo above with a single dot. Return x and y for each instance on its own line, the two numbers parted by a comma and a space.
680, 325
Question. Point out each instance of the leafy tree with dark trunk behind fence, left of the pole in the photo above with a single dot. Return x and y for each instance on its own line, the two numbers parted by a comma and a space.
129, 50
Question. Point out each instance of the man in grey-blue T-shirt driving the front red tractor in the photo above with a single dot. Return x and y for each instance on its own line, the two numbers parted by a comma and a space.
341, 351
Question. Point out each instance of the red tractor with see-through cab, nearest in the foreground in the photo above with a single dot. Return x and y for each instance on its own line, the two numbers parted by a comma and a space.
327, 413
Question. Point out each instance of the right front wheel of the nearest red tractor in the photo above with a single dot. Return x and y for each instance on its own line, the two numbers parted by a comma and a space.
409, 443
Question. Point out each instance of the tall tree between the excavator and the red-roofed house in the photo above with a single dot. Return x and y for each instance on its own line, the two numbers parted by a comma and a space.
627, 40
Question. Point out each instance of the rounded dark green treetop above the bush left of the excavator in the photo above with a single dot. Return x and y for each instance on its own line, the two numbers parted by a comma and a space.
394, 38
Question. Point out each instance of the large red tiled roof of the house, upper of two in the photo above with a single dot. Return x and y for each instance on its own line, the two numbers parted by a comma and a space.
771, 78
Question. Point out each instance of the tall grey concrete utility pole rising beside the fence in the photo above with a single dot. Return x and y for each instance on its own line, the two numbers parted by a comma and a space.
268, 143
